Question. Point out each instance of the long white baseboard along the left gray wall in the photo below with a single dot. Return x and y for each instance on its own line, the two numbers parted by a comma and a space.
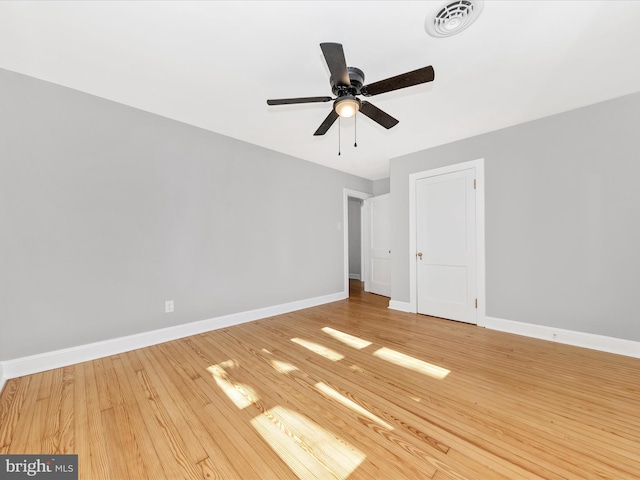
60, 358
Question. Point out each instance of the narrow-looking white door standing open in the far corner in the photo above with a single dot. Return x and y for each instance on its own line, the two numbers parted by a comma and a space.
378, 245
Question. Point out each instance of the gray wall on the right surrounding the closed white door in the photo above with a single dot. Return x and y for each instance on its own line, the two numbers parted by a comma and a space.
562, 218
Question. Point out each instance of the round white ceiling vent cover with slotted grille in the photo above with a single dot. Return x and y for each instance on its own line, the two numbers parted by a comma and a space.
453, 17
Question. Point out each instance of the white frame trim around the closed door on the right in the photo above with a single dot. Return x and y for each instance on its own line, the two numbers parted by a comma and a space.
480, 247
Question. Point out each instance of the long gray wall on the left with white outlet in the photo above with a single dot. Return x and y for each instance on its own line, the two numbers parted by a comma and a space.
107, 211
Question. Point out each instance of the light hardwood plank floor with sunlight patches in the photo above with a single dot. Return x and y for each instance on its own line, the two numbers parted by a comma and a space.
345, 390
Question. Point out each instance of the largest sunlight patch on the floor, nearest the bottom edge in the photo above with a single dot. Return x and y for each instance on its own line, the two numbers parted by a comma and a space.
307, 448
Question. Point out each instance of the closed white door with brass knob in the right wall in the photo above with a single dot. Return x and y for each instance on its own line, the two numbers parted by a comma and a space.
446, 246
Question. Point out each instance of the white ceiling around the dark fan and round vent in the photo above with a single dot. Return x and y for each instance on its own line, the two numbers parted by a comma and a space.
214, 64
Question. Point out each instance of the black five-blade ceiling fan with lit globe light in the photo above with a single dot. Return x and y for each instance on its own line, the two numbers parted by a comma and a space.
347, 84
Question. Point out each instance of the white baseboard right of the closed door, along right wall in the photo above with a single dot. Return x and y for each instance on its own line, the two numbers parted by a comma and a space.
569, 337
